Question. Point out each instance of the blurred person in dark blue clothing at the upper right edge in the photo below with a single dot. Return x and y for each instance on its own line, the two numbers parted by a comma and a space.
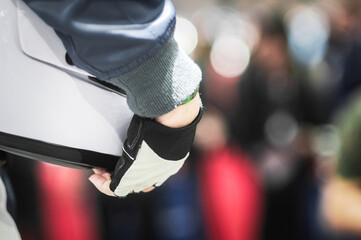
344, 52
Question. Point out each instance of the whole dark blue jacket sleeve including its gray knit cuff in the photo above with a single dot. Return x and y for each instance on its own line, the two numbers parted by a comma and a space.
127, 43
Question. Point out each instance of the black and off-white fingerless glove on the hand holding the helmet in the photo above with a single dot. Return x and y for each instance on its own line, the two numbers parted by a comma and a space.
152, 153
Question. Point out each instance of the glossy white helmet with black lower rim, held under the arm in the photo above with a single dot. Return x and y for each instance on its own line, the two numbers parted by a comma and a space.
50, 110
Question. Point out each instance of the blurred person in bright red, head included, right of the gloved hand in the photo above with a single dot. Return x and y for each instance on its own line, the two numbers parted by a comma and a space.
231, 192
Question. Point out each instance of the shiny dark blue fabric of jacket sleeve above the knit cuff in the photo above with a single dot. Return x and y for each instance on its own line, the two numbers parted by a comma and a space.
108, 37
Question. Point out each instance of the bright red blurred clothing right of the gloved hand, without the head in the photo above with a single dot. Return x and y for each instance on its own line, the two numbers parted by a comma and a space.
231, 195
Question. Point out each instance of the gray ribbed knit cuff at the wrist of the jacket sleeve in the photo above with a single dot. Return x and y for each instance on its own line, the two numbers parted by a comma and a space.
161, 83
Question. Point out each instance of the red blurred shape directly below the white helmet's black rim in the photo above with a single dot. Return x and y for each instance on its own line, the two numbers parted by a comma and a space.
66, 210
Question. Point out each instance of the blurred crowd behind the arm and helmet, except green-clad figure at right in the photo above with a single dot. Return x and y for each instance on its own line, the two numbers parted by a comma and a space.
275, 76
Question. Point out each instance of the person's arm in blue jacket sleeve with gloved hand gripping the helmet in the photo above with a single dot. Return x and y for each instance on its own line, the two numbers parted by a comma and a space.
132, 47
